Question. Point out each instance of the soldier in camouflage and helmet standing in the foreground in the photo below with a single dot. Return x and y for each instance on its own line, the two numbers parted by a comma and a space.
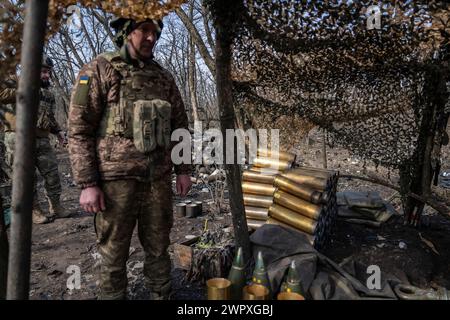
123, 109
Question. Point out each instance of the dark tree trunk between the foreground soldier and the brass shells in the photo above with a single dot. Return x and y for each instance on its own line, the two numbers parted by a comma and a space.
224, 22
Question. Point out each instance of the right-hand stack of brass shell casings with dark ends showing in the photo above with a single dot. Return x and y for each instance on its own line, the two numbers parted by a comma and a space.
305, 200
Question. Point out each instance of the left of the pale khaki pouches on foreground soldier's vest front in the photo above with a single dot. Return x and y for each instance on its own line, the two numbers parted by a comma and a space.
144, 126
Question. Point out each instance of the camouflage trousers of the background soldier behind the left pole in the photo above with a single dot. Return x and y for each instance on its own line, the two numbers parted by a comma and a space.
46, 164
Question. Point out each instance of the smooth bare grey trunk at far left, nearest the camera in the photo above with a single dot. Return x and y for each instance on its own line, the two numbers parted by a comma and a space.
23, 175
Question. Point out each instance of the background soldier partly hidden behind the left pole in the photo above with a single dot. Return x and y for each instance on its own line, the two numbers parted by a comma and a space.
46, 162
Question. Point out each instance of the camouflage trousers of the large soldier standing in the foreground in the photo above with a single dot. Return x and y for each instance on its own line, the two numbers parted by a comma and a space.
131, 202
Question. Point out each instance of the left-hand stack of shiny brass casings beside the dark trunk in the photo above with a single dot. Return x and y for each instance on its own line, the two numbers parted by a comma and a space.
257, 185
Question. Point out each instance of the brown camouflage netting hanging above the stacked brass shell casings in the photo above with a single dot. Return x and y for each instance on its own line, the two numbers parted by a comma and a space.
378, 91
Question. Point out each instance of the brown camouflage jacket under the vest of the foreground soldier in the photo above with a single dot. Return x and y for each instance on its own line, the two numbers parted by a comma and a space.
111, 157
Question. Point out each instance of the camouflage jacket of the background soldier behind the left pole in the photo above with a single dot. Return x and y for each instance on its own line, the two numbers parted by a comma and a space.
46, 113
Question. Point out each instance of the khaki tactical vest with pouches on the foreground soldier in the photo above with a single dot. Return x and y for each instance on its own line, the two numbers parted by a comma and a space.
140, 114
